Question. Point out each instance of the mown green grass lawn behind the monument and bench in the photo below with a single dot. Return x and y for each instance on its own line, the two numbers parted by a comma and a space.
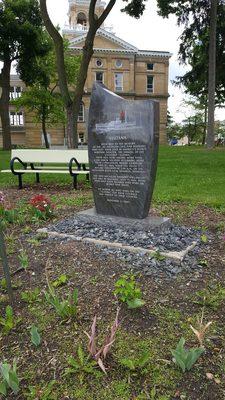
190, 174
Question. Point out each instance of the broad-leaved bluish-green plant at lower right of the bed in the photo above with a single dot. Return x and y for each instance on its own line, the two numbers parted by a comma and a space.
185, 358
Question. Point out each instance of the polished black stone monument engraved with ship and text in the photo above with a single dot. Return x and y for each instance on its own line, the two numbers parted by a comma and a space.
123, 138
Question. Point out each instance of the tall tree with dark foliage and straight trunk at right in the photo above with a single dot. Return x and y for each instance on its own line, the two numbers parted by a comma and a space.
199, 20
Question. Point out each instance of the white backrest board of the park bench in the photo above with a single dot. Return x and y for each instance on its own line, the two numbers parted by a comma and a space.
51, 156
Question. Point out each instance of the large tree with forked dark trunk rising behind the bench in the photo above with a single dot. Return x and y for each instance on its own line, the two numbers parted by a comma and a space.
134, 8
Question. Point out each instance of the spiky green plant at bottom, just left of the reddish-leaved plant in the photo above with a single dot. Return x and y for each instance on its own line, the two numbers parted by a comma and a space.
82, 365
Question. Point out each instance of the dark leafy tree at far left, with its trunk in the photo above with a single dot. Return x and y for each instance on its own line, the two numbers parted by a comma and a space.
20, 41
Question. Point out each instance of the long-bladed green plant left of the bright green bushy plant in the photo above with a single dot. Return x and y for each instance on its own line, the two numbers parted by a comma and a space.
65, 308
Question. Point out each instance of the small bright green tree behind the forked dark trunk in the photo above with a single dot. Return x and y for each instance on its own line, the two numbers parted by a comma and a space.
42, 97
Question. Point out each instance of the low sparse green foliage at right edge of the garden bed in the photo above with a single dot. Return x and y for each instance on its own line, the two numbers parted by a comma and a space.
211, 297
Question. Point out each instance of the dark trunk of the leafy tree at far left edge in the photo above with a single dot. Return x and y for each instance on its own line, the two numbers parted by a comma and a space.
4, 104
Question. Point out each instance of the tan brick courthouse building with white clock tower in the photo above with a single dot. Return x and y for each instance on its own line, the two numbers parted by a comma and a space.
124, 69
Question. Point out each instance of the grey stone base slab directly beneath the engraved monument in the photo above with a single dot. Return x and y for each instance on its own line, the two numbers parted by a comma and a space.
151, 223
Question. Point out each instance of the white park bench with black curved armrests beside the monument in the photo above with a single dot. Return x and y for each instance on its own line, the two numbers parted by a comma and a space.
24, 161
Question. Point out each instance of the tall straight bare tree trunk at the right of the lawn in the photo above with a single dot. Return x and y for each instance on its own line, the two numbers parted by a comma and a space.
212, 76
